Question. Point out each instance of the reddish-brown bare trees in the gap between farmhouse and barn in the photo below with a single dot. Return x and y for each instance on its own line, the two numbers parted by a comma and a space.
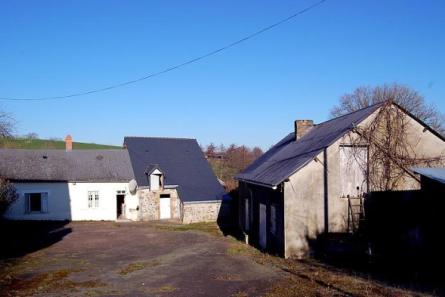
228, 161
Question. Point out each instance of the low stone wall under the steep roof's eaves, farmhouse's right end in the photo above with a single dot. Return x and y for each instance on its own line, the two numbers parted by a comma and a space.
201, 212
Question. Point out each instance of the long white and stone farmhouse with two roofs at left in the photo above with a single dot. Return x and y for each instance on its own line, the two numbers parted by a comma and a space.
149, 179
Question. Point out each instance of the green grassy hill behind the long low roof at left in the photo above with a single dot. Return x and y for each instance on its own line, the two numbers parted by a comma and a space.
26, 143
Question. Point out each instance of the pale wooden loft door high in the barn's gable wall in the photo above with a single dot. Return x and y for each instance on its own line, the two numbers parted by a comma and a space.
353, 167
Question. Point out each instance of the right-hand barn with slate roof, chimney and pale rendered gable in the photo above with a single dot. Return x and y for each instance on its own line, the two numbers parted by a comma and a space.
314, 181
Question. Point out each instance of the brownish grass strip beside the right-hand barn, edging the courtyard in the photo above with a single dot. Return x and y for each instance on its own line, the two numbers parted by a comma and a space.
312, 278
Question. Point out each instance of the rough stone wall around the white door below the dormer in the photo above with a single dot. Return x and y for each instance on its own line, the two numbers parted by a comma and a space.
149, 208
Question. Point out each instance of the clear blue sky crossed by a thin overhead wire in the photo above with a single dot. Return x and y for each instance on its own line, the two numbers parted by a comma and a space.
250, 94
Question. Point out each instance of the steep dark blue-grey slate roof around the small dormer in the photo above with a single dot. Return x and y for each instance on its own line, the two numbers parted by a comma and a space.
182, 163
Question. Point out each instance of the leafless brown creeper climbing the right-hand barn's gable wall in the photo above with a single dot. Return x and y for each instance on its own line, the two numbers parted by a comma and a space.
392, 149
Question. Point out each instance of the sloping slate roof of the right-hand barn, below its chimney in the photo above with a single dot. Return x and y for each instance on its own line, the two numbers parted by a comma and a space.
288, 156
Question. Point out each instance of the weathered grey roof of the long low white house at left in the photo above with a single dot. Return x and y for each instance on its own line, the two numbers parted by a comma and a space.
60, 165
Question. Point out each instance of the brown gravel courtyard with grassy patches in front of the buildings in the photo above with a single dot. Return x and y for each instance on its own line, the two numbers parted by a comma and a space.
158, 259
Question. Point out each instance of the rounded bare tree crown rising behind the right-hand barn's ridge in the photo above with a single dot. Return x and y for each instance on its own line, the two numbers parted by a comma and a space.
406, 97
